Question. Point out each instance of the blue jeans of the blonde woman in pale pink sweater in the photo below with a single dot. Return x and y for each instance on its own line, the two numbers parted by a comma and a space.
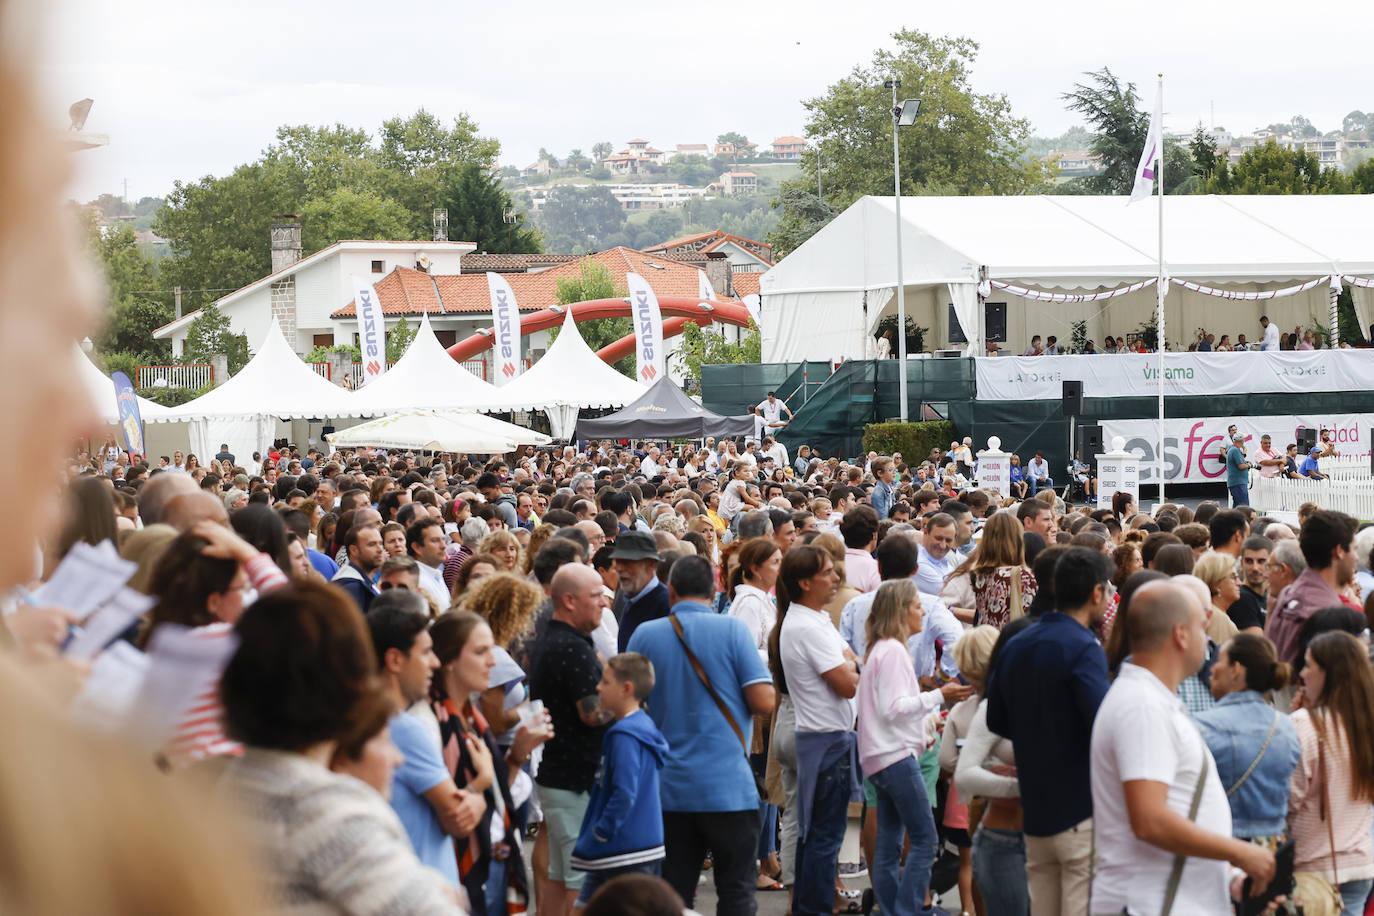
903, 810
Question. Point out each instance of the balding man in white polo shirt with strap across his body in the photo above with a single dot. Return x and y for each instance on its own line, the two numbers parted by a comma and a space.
1159, 807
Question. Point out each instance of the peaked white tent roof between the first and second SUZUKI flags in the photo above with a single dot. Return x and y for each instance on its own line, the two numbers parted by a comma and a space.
425, 378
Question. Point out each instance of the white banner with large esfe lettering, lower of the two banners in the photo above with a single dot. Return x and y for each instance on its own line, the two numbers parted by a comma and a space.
1193, 447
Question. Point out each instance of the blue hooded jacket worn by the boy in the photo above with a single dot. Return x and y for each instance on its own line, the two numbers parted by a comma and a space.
624, 821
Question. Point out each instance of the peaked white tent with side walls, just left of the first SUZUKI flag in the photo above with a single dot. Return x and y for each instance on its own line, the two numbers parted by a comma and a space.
244, 413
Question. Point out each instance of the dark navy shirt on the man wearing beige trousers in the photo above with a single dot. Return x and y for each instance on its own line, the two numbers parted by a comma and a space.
1044, 697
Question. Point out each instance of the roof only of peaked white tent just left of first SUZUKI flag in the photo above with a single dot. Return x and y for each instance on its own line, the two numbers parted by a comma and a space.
275, 384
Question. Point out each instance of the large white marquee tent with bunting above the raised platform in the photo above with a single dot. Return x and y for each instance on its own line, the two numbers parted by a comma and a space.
828, 297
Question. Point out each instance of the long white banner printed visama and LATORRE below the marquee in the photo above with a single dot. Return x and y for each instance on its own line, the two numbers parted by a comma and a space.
1041, 378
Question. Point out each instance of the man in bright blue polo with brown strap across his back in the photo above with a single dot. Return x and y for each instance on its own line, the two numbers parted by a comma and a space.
707, 786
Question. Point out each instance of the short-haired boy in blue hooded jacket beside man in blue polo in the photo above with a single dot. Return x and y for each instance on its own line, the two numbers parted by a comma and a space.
623, 830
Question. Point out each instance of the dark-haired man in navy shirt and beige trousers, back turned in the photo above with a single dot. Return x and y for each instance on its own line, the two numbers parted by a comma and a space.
1044, 697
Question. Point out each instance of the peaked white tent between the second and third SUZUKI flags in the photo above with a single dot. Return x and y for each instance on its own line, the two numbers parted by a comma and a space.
570, 377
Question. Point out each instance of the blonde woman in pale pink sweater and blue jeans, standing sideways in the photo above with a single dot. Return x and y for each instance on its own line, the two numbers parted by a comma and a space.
892, 738
